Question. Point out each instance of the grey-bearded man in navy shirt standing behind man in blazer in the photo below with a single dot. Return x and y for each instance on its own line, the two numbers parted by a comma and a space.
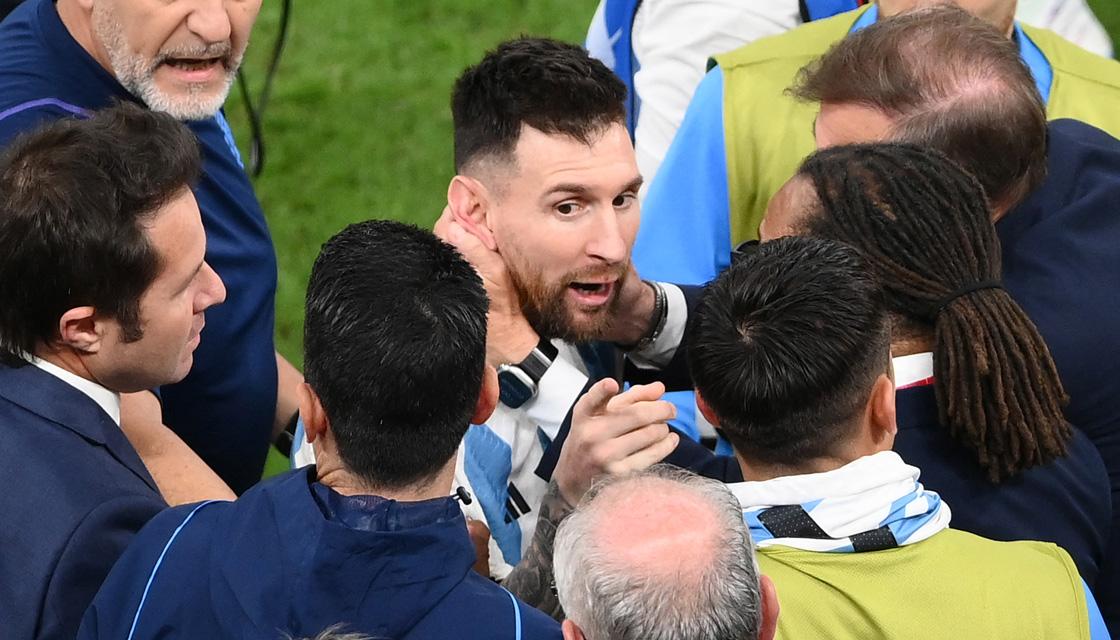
69, 58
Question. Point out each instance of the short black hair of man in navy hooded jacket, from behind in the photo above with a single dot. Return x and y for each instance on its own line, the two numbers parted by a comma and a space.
395, 347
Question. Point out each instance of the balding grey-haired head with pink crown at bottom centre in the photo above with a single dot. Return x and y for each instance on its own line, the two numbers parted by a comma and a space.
659, 555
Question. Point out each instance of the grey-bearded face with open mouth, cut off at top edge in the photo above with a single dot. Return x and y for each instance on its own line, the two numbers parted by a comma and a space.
179, 57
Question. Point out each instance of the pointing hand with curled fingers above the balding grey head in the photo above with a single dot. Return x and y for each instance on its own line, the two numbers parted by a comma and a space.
614, 433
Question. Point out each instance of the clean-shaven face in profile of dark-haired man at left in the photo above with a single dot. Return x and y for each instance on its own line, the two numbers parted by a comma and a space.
171, 310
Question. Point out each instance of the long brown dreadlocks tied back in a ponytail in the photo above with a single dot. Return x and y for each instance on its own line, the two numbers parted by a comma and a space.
923, 225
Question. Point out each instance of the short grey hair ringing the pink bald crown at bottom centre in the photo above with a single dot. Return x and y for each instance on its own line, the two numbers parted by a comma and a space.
611, 601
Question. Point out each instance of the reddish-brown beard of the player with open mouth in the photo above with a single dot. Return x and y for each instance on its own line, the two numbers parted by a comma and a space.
545, 308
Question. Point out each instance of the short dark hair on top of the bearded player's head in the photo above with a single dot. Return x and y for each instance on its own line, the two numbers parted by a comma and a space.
553, 87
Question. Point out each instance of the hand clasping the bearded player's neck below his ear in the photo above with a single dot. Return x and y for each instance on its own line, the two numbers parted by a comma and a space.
509, 336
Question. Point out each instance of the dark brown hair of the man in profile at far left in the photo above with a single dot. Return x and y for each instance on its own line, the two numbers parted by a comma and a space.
76, 198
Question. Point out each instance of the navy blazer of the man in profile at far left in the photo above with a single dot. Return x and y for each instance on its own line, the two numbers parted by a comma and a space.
74, 495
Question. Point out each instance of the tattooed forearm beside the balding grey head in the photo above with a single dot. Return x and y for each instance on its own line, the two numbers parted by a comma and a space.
531, 580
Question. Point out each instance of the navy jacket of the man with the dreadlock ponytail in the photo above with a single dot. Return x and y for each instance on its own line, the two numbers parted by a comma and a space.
1067, 503
